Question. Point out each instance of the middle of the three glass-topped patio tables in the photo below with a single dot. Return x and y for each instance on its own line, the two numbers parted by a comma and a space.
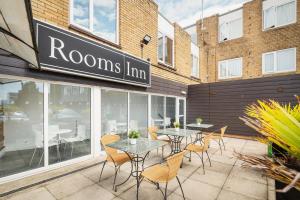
176, 137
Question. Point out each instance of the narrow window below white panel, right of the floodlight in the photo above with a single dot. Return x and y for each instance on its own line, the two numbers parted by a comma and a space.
165, 49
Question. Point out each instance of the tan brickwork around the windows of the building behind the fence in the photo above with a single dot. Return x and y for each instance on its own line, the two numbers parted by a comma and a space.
251, 46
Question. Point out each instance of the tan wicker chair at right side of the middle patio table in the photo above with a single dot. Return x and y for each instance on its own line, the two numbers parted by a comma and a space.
197, 148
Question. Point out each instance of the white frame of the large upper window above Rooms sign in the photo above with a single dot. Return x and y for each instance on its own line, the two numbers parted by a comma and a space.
91, 19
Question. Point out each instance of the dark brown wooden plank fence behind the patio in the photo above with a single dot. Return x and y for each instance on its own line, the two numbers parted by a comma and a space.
223, 103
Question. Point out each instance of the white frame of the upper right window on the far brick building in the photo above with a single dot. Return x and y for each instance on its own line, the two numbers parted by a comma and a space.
277, 3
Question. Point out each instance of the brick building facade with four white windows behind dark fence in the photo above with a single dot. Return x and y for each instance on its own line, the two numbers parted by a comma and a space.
257, 39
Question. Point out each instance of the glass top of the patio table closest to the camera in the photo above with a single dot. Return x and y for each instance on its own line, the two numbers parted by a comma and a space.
143, 145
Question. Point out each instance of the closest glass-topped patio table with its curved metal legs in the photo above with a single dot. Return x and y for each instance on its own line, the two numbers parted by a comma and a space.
136, 152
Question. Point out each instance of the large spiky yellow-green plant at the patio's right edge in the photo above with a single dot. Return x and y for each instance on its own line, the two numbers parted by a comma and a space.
278, 125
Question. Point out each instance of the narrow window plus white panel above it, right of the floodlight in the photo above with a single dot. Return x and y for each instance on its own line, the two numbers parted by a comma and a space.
165, 41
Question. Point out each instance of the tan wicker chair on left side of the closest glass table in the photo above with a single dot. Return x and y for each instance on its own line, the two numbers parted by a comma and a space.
114, 157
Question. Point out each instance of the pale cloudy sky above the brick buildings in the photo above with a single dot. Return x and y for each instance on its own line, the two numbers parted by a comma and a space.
186, 12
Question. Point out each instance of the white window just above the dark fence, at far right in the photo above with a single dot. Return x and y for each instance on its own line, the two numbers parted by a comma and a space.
279, 61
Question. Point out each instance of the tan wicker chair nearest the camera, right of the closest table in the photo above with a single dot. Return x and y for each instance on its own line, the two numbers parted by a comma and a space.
165, 172
